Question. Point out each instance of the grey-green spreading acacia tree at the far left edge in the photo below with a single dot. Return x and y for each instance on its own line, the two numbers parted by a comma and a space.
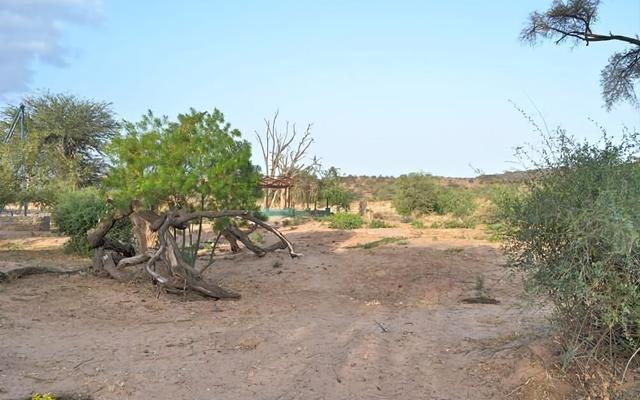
62, 149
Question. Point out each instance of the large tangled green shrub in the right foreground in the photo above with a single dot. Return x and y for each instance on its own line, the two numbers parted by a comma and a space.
576, 234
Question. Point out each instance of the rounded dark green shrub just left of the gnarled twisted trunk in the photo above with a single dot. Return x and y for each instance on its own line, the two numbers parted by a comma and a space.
76, 212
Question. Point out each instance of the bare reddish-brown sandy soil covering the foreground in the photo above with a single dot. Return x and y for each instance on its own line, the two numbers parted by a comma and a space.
338, 323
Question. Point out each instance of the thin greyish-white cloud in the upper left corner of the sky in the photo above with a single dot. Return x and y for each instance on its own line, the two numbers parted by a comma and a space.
32, 30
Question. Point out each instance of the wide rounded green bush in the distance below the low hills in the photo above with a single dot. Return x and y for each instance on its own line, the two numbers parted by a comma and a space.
420, 193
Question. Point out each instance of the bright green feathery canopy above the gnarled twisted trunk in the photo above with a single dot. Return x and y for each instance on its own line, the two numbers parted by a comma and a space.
197, 161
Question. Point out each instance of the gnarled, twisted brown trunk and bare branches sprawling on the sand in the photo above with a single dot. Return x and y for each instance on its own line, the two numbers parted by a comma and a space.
158, 254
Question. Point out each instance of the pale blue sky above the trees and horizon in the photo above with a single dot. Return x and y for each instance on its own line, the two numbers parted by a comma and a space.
391, 87
